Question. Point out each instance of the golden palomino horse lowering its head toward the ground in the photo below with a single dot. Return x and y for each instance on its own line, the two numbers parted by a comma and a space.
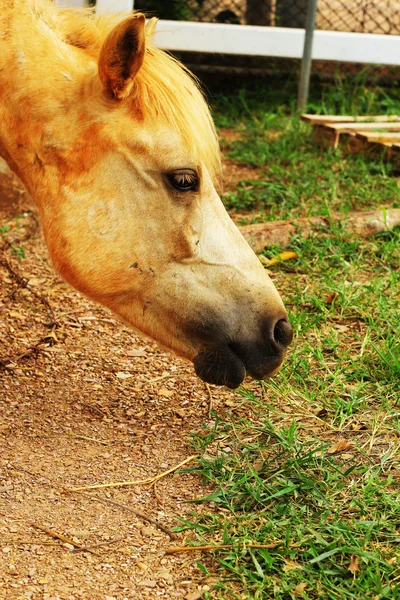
114, 141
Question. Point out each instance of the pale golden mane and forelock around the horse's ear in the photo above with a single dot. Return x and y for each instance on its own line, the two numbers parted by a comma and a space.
163, 89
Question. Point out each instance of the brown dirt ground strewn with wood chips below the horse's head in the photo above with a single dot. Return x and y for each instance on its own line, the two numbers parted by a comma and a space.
83, 401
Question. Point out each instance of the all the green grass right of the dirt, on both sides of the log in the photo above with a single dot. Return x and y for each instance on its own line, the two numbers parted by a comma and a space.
331, 519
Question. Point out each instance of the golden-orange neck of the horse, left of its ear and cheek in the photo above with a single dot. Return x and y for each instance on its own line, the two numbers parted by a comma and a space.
39, 86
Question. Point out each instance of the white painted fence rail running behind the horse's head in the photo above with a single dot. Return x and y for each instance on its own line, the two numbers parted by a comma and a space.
367, 48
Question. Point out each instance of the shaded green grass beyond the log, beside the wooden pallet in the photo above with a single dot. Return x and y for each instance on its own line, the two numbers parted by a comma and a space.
295, 177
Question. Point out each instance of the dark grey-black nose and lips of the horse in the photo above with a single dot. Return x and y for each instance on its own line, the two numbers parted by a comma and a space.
228, 363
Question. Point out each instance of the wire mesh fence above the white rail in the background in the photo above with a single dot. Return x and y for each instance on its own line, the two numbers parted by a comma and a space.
363, 16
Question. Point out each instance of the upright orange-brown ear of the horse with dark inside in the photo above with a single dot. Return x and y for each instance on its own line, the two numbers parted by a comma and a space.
121, 56
